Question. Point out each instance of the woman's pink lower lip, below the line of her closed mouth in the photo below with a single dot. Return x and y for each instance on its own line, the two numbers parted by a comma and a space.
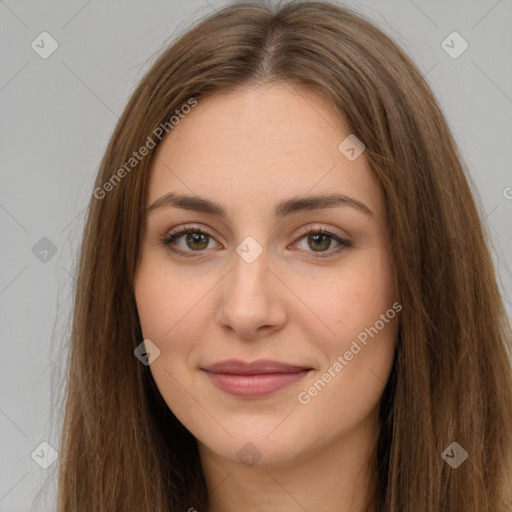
255, 386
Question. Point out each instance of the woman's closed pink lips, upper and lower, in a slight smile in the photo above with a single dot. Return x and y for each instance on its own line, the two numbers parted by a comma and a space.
255, 379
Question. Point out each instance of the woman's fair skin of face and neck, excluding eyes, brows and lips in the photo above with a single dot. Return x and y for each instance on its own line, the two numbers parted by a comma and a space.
248, 150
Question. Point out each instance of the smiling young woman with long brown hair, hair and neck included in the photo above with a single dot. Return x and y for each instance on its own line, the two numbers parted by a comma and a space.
286, 299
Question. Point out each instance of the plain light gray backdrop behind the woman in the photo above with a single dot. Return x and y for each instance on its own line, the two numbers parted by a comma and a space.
57, 115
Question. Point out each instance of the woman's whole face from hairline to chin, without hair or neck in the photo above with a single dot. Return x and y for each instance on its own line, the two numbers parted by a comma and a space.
256, 286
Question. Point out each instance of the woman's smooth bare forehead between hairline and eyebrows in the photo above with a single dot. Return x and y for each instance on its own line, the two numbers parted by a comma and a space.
258, 145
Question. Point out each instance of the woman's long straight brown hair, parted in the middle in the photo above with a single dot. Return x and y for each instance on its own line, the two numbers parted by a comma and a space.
124, 450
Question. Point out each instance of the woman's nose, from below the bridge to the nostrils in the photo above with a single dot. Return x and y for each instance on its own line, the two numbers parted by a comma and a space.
252, 300
